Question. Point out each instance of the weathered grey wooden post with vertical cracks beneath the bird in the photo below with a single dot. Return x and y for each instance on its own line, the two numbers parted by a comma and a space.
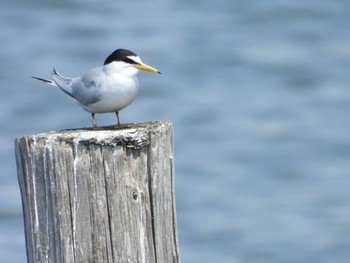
99, 196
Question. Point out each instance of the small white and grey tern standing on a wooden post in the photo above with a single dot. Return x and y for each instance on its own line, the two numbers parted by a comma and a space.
108, 88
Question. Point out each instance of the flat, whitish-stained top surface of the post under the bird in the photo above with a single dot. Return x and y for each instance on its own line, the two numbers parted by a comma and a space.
134, 135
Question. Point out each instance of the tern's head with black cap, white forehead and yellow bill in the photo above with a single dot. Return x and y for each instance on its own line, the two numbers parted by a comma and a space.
123, 59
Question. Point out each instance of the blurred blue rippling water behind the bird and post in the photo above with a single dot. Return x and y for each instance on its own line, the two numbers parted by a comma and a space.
259, 93
